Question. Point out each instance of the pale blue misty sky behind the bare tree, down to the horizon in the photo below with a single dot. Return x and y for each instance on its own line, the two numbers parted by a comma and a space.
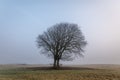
22, 20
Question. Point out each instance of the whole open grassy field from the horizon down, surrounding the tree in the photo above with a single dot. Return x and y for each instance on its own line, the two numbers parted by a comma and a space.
83, 72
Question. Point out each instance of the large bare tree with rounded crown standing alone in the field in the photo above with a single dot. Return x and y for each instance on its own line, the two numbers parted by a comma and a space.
63, 41
